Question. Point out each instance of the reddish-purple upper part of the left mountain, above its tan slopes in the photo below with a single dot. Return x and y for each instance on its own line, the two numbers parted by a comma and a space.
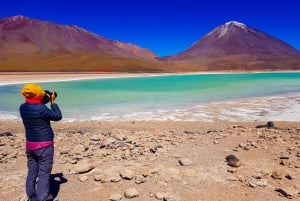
43, 37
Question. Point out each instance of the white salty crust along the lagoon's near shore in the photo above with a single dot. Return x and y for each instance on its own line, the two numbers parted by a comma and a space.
286, 108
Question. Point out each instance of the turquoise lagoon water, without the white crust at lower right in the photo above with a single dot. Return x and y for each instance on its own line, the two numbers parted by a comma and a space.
126, 98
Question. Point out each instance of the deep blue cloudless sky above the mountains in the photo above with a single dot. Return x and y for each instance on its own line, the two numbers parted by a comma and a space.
164, 26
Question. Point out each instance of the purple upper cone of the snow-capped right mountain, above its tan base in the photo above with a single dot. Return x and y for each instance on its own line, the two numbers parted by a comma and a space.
234, 38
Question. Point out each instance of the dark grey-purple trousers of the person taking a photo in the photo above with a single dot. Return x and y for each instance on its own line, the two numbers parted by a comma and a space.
39, 163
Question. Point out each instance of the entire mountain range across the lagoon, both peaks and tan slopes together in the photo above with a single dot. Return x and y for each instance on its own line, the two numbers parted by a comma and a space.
28, 44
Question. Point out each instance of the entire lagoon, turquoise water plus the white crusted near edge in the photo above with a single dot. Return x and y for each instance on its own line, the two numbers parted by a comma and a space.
187, 97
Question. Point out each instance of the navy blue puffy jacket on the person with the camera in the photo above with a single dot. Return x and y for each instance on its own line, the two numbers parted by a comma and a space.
36, 119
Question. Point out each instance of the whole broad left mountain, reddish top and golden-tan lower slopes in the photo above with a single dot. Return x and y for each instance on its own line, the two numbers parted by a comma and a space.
29, 44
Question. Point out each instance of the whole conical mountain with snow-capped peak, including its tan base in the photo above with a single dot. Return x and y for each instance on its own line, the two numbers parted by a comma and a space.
235, 46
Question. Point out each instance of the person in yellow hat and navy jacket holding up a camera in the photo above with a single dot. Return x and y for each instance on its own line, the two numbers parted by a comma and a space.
36, 117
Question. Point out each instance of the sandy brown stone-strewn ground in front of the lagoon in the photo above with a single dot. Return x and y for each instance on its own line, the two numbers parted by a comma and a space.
163, 160
